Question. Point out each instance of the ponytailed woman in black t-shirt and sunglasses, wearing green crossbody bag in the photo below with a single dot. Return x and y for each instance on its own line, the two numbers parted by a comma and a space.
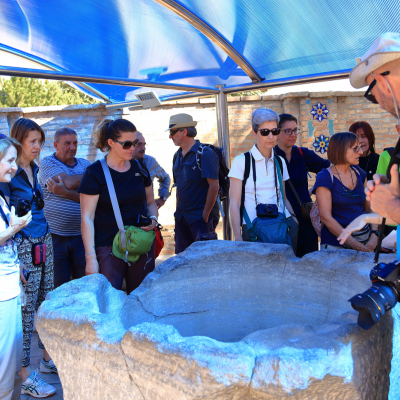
133, 188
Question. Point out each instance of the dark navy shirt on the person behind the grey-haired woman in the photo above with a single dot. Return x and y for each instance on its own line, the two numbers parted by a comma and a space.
298, 167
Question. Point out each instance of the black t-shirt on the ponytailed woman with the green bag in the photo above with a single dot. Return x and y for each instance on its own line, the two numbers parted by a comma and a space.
131, 194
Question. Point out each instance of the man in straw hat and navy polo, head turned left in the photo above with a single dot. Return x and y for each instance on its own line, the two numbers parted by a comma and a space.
197, 212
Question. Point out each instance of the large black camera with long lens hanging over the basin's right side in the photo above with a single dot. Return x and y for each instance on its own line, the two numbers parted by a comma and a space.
381, 297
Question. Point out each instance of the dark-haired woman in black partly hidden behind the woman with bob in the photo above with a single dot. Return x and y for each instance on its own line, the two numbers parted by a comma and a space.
368, 159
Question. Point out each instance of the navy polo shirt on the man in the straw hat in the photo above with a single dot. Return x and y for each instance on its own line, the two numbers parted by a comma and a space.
191, 183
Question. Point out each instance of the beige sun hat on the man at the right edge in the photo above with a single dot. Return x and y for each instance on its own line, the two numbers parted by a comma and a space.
384, 50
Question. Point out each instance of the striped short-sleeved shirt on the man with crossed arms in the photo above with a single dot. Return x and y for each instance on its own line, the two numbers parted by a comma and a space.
63, 215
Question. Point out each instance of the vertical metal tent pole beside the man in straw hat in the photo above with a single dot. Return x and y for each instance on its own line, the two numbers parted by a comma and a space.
223, 141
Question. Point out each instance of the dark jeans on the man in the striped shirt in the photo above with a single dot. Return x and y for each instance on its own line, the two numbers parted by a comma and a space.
69, 258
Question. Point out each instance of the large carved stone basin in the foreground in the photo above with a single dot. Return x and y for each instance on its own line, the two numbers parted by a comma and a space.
225, 320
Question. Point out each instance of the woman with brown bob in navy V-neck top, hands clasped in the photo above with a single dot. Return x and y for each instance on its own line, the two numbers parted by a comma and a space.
341, 197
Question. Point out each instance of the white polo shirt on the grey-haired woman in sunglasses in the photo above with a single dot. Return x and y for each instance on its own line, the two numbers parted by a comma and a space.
265, 181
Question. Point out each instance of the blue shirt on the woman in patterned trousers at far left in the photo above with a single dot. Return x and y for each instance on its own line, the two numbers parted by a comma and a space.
21, 188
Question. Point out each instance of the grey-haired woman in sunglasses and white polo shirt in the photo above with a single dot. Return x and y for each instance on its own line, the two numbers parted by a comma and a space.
264, 191
